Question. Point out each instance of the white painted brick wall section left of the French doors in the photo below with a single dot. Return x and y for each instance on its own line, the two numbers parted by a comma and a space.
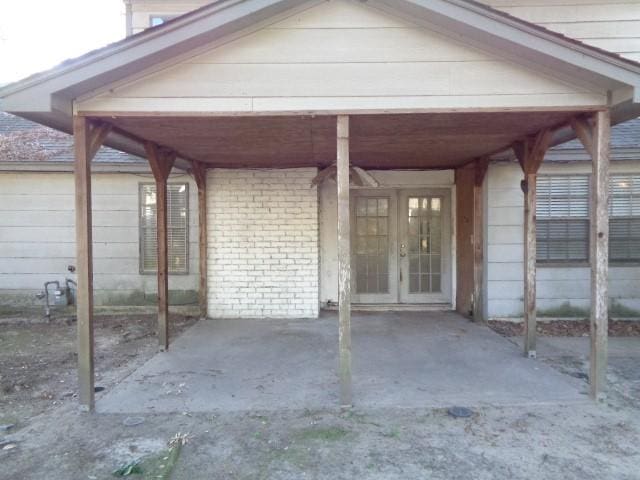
262, 243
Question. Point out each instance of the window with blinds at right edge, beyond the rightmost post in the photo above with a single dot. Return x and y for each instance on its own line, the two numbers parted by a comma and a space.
624, 218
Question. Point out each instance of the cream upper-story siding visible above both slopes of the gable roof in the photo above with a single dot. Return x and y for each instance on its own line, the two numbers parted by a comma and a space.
609, 24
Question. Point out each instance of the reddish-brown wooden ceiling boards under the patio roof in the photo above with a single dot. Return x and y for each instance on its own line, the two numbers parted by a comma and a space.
439, 140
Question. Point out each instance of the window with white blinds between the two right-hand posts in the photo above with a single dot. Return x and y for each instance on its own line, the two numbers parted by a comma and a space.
562, 218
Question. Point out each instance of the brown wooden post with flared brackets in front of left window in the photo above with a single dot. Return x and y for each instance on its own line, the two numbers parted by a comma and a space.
161, 163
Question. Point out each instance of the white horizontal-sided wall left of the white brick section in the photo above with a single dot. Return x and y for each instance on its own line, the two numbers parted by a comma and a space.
37, 237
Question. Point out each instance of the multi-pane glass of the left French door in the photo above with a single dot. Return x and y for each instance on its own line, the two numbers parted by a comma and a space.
371, 254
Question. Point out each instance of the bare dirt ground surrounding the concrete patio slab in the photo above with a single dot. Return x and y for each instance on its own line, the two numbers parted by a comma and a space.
51, 439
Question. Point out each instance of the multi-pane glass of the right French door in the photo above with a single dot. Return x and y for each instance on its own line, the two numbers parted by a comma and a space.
425, 242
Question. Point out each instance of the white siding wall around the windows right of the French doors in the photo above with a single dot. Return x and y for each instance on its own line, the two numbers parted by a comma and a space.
504, 251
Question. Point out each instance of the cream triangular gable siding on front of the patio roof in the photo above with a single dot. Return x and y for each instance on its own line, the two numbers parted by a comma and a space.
341, 55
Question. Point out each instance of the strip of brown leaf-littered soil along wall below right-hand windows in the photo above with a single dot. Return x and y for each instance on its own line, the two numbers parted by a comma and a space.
566, 328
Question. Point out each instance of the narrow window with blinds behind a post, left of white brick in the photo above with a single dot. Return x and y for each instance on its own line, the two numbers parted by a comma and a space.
178, 228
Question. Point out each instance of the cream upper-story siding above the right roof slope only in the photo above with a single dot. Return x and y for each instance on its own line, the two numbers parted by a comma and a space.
611, 25
